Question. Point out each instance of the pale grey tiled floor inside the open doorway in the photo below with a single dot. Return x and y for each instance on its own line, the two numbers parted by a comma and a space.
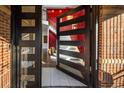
51, 77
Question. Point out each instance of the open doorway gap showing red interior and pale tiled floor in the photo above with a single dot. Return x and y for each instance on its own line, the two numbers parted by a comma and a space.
52, 76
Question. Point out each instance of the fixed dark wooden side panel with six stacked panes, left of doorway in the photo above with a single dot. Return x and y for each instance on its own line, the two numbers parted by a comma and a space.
27, 24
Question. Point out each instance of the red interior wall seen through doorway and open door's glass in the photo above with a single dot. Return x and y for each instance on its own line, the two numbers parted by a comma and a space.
53, 13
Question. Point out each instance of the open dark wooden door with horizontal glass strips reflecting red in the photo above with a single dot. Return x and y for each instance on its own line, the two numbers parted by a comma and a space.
73, 35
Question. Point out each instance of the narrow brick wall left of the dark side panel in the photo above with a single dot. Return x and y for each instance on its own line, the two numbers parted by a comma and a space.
4, 50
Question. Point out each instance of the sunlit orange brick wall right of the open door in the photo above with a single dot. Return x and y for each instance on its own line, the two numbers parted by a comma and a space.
111, 51
